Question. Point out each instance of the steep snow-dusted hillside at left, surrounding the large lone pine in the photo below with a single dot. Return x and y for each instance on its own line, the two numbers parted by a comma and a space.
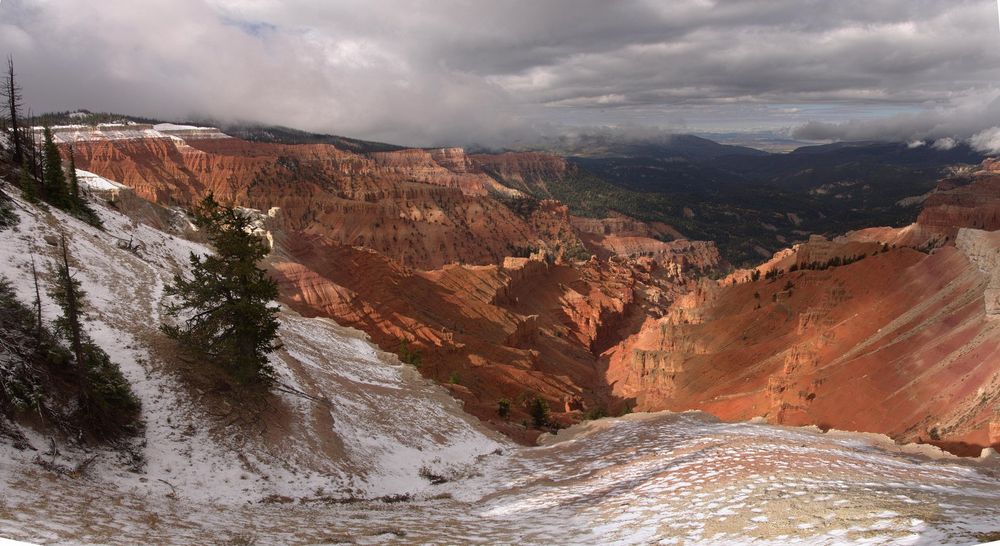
348, 419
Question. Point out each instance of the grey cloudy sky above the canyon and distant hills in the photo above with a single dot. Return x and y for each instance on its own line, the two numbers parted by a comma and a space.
508, 72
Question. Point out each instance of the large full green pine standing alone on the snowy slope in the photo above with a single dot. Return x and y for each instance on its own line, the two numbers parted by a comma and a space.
225, 307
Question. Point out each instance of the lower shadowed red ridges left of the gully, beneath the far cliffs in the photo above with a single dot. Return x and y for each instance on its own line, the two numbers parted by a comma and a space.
529, 327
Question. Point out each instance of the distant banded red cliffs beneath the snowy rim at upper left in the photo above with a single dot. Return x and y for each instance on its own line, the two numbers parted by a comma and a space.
403, 204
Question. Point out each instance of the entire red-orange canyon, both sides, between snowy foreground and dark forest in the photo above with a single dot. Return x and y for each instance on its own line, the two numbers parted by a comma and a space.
508, 297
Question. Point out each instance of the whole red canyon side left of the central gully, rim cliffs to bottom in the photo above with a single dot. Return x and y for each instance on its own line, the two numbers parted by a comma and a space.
348, 228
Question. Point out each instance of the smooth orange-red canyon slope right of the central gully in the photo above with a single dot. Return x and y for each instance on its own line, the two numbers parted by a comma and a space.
901, 342
